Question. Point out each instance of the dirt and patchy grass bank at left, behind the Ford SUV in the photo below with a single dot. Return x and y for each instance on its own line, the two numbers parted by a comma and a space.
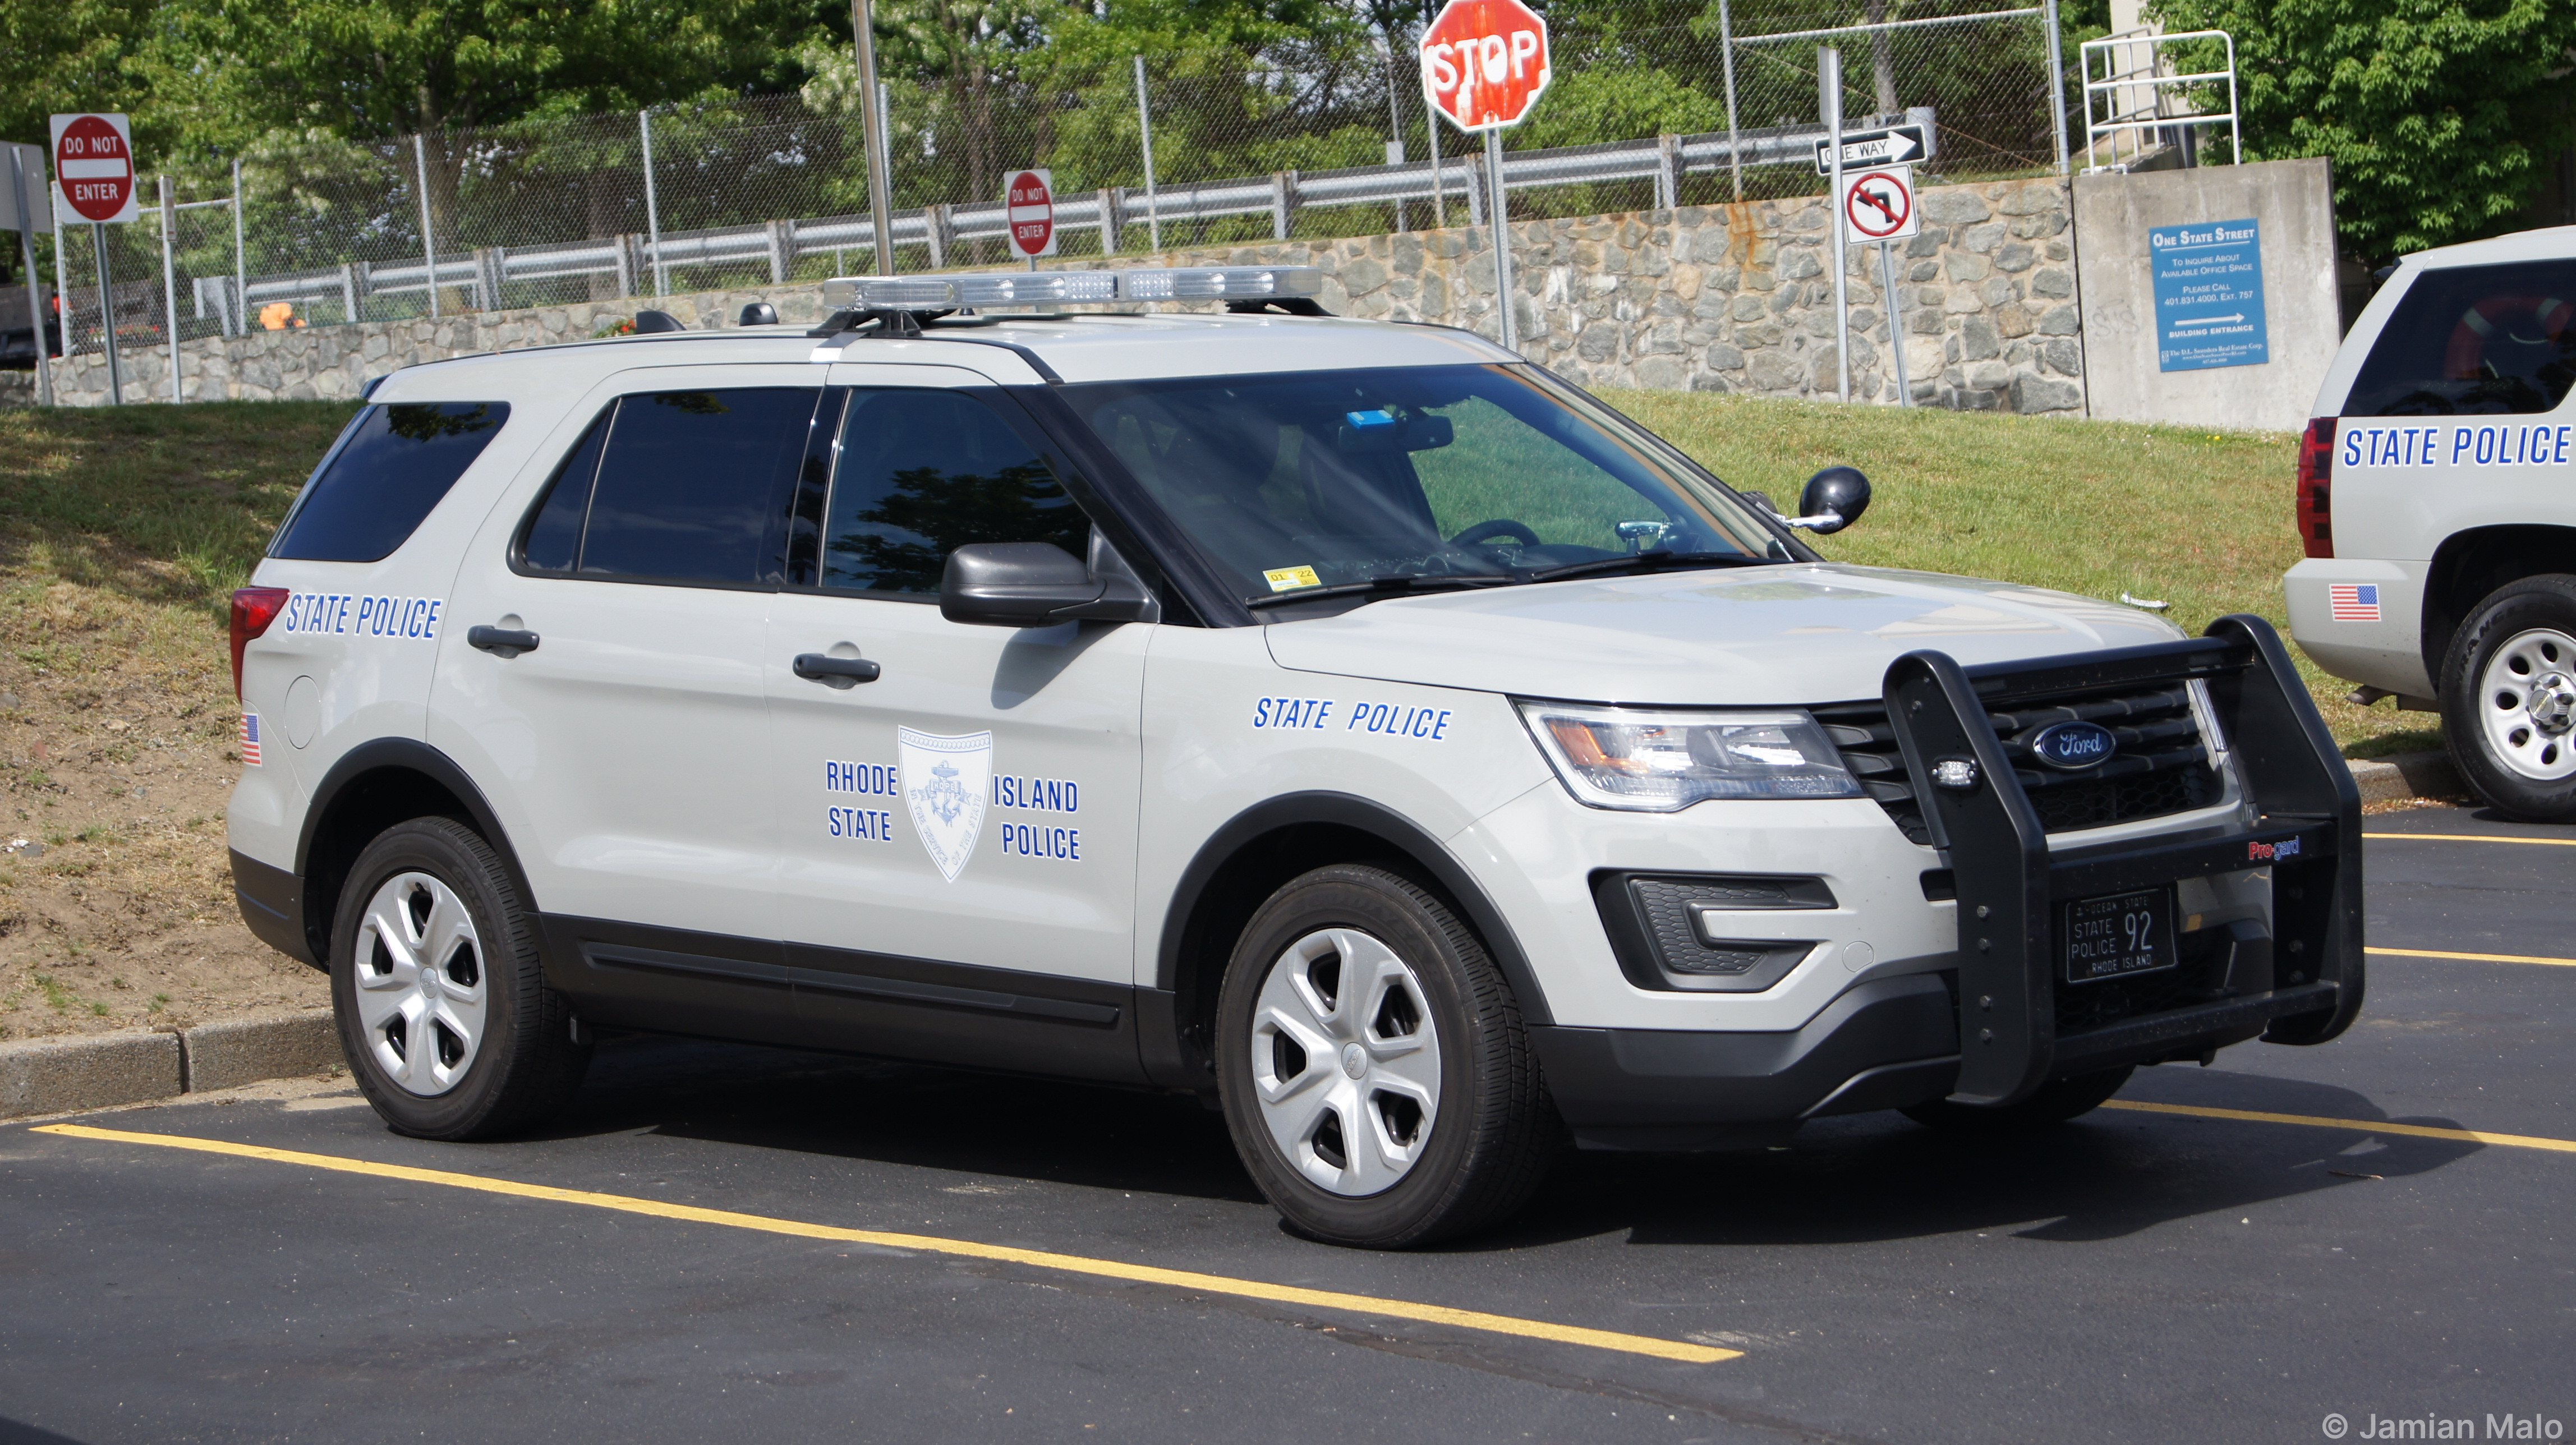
120, 540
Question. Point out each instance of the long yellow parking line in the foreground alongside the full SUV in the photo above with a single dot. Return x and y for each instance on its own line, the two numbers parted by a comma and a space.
962, 1248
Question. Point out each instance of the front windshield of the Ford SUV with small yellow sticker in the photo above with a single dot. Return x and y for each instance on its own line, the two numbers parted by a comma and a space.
1410, 478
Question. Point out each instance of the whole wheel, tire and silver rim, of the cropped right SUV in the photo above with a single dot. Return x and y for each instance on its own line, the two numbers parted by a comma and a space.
2510, 699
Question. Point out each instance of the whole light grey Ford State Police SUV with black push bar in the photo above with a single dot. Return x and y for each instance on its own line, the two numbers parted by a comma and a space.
1351, 722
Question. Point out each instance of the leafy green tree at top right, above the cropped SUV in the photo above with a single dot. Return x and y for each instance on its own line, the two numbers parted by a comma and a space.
2438, 115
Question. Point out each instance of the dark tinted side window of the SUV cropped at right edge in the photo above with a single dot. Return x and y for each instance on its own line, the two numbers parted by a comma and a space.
2474, 341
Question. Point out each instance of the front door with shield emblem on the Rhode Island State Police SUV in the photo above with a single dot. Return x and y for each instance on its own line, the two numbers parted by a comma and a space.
957, 836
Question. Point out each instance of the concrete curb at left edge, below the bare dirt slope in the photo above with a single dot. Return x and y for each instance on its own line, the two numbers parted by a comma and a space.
107, 1070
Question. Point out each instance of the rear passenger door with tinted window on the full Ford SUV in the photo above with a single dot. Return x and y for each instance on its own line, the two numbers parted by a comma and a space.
630, 748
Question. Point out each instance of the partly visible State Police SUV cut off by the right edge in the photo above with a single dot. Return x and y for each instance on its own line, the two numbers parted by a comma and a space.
2438, 506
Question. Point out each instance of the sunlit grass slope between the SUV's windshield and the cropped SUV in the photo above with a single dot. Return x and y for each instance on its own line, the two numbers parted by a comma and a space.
2165, 514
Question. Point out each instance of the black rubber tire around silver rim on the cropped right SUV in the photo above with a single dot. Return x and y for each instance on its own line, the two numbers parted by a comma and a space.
2508, 614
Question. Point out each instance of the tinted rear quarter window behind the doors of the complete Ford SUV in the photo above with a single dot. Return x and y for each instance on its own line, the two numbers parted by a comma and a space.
395, 465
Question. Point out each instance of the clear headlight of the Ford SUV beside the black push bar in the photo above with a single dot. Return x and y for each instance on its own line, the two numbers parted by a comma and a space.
1665, 761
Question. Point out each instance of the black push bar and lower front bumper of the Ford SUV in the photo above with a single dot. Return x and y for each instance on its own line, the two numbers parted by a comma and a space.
2005, 1021
